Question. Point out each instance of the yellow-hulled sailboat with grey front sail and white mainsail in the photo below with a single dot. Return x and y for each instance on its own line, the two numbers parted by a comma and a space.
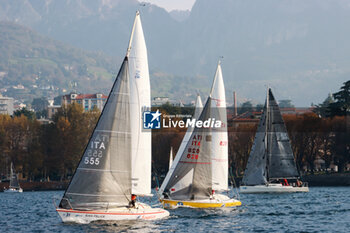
199, 174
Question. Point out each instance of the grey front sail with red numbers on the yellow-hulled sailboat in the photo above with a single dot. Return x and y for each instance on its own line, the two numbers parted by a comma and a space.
194, 164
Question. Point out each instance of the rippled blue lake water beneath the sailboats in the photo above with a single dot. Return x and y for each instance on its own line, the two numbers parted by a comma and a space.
323, 209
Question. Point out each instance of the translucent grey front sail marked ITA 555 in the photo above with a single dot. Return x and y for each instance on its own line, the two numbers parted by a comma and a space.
103, 176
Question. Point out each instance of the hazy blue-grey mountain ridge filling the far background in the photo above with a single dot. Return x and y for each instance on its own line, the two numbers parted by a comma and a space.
298, 48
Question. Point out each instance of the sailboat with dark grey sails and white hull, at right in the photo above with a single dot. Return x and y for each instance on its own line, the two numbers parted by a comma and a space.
271, 166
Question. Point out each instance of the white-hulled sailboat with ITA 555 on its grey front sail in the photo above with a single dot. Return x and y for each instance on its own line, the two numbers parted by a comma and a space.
116, 164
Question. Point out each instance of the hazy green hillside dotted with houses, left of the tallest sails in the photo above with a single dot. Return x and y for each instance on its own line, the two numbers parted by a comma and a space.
46, 67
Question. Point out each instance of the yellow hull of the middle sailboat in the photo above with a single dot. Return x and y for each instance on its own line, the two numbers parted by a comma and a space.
199, 204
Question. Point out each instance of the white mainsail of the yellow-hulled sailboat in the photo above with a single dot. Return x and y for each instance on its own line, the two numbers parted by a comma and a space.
219, 136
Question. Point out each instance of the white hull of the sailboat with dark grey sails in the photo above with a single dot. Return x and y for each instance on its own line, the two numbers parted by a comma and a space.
272, 188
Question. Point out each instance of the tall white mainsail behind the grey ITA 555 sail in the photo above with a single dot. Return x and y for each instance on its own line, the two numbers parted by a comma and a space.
140, 99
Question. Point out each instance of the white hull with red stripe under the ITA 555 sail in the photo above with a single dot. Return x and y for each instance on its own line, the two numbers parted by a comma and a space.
142, 212
